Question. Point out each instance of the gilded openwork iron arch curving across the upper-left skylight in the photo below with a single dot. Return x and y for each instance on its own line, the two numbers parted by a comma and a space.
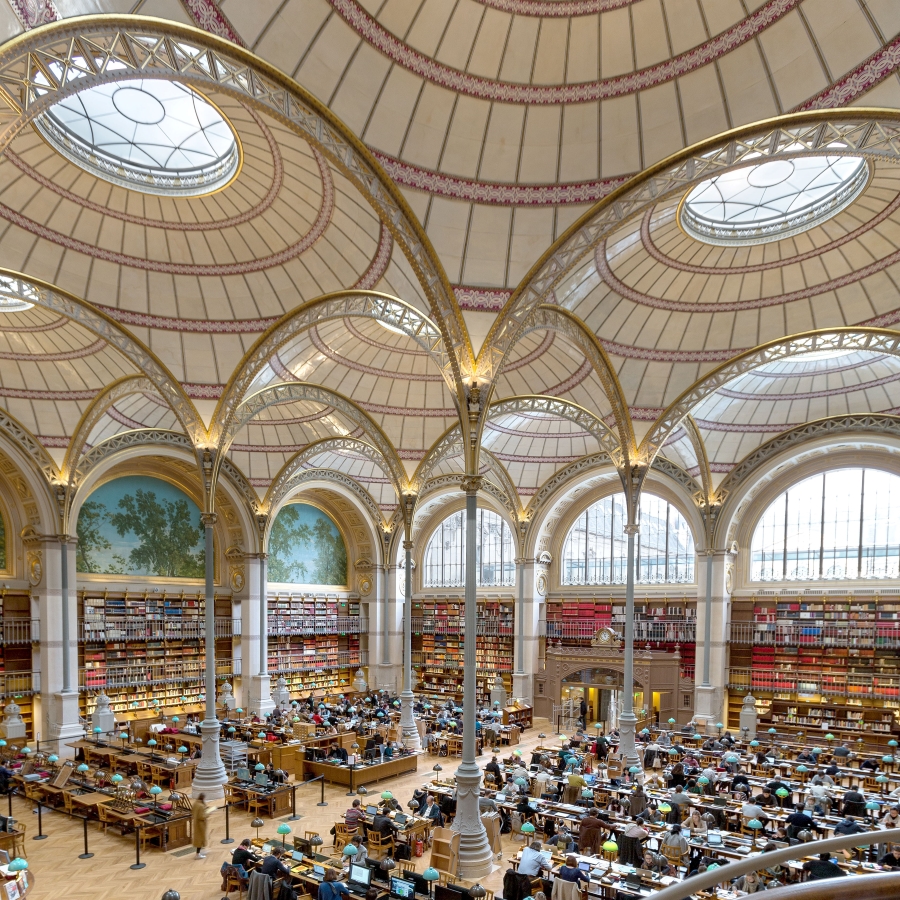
37, 69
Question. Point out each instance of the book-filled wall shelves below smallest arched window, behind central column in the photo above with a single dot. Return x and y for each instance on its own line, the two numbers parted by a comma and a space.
438, 645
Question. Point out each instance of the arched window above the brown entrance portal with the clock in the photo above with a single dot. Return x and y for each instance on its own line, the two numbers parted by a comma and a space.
595, 551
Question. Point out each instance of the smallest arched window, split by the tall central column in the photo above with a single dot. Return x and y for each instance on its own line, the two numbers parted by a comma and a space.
445, 555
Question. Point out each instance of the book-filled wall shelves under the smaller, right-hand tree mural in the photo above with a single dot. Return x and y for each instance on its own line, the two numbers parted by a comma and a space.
314, 642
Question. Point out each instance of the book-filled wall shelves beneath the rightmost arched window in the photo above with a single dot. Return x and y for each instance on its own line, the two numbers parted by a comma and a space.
820, 661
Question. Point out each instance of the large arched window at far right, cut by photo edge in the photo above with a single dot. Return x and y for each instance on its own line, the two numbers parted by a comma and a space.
832, 525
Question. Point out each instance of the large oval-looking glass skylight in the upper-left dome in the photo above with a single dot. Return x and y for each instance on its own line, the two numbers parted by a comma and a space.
157, 137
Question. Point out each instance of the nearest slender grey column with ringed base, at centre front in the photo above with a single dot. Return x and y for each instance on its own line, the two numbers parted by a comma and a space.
475, 855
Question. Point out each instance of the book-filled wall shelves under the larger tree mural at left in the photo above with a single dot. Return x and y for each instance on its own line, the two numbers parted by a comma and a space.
145, 647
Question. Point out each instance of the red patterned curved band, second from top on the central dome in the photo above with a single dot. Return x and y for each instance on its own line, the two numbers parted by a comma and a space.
461, 82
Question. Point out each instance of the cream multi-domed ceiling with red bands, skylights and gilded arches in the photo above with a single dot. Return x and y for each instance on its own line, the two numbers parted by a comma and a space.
497, 124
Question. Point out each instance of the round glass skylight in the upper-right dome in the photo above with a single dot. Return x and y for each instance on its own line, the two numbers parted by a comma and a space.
773, 200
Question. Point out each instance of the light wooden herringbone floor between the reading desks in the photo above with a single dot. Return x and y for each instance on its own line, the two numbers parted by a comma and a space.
61, 875
